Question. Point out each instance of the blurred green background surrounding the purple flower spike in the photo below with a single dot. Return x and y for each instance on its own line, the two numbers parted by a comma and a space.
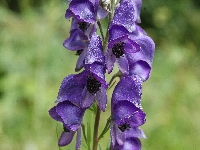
33, 63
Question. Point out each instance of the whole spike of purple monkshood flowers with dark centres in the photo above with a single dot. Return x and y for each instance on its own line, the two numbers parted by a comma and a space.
129, 46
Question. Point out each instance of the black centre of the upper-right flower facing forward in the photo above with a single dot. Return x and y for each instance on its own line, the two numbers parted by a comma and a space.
118, 49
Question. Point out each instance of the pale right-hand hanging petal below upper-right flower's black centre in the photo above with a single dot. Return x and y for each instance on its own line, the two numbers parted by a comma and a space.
123, 65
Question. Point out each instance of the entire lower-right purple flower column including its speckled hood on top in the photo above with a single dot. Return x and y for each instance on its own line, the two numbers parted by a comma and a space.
127, 114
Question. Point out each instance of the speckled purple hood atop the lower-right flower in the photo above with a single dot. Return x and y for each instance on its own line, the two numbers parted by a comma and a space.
128, 88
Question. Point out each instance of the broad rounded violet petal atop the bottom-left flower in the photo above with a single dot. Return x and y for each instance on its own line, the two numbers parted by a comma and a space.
70, 114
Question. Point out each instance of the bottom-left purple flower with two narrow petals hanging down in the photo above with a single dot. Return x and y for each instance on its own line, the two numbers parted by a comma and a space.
71, 117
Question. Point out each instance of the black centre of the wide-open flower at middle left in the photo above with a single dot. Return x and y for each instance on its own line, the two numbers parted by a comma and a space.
93, 85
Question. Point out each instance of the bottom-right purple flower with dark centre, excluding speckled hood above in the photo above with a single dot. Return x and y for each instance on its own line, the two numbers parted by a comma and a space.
125, 131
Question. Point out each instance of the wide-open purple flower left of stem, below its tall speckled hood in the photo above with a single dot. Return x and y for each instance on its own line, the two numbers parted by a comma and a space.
83, 88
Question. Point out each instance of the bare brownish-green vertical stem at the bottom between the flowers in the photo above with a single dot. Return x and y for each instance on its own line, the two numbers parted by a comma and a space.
96, 127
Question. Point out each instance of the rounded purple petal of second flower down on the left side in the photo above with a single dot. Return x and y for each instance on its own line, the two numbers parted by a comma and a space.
76, 41
